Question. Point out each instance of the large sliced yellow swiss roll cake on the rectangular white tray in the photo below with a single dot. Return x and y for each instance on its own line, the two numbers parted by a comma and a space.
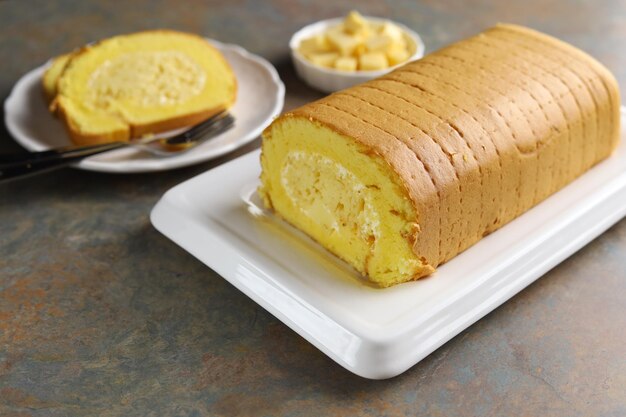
400, 174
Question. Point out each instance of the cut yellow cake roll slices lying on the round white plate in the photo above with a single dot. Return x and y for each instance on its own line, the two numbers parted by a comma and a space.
132, 85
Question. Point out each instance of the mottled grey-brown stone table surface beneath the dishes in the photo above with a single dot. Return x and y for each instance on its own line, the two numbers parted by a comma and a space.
100, 315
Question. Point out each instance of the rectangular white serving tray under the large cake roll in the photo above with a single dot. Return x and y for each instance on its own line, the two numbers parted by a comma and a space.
378, 333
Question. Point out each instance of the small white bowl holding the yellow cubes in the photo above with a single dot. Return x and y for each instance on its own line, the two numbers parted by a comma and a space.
329, 80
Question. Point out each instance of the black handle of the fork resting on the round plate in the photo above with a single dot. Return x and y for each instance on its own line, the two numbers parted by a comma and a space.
22, 165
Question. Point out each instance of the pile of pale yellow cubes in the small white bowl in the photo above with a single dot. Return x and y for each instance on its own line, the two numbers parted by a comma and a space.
358, 45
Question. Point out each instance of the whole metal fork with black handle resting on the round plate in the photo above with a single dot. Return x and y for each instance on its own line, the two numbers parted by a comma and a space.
25, 164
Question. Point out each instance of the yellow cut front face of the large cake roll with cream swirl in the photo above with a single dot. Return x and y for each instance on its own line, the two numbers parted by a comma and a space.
343, 196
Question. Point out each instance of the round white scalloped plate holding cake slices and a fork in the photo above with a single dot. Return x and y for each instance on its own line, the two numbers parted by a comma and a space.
260, 97
